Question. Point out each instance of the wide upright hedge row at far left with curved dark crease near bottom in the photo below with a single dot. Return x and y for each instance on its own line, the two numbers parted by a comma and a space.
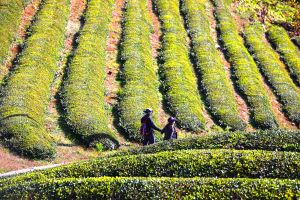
25, 96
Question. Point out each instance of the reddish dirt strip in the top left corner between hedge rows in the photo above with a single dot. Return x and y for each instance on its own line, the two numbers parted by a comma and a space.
16, 47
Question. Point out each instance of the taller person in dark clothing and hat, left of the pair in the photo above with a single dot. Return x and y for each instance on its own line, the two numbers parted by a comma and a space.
148, 127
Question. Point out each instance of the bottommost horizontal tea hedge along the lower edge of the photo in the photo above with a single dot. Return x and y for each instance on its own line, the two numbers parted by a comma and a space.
154, 188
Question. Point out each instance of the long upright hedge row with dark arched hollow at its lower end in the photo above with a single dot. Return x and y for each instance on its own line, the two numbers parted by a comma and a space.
83, 88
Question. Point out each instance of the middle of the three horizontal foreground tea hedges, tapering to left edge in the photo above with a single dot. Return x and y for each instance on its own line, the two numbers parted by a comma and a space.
185, 163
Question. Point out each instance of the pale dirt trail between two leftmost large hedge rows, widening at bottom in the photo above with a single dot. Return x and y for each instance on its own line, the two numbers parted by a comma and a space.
67, 150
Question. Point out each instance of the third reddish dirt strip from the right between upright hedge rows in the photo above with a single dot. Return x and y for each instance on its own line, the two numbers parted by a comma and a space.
242, 105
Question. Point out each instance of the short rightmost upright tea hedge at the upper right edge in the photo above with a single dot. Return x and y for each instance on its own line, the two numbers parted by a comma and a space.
288, 51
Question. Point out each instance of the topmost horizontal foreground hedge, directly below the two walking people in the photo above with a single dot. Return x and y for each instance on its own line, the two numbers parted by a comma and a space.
279, 140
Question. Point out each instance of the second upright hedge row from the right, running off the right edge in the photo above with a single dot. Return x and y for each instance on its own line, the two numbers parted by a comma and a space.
272, 68
